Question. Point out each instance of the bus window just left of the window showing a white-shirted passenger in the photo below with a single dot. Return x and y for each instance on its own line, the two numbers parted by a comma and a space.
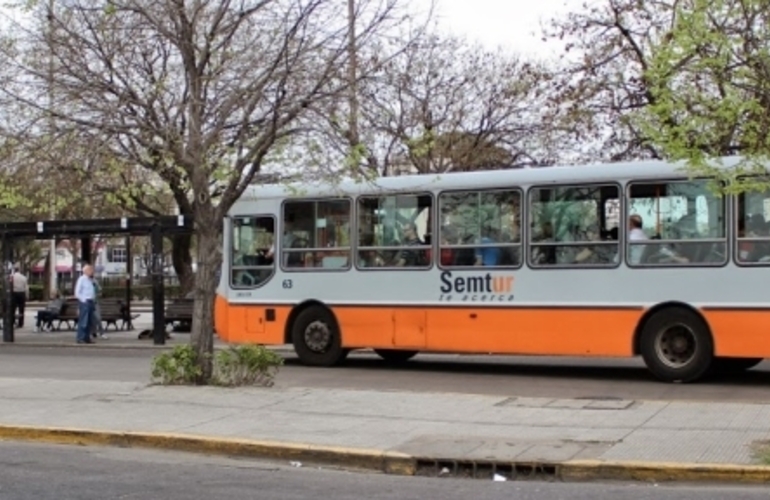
572, 226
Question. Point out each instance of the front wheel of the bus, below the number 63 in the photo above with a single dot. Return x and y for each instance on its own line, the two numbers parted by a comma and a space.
316, 337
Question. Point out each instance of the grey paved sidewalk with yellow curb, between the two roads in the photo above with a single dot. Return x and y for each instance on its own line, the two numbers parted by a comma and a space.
402, 432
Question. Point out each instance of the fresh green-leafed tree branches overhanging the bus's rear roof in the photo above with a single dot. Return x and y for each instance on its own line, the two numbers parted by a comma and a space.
711, 91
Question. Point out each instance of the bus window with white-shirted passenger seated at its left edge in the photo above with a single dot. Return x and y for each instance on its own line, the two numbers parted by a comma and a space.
678, 223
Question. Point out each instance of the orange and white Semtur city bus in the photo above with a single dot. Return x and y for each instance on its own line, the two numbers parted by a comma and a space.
606, 260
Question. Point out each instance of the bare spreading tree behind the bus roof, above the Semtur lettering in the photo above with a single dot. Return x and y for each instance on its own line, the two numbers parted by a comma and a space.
440, 105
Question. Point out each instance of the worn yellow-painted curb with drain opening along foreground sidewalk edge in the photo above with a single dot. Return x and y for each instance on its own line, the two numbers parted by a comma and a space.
393, 462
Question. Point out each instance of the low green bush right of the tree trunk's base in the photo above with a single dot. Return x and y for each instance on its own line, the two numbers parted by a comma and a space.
246, 365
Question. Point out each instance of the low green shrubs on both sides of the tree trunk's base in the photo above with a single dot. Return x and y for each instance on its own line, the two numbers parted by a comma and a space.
236, 366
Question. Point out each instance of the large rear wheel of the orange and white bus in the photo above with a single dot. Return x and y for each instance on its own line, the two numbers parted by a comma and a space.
676, 345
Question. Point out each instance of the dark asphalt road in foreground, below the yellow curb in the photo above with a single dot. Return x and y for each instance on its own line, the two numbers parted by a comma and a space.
50, 472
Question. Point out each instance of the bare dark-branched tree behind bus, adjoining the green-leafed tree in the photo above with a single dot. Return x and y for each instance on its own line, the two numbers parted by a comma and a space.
602, 80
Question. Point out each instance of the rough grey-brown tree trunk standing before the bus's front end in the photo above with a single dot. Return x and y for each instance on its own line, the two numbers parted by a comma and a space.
209, 237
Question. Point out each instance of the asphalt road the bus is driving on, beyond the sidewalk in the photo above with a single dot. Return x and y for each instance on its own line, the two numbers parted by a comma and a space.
507, 376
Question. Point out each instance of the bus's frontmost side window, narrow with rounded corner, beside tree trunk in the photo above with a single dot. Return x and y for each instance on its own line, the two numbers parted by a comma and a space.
251, 243
